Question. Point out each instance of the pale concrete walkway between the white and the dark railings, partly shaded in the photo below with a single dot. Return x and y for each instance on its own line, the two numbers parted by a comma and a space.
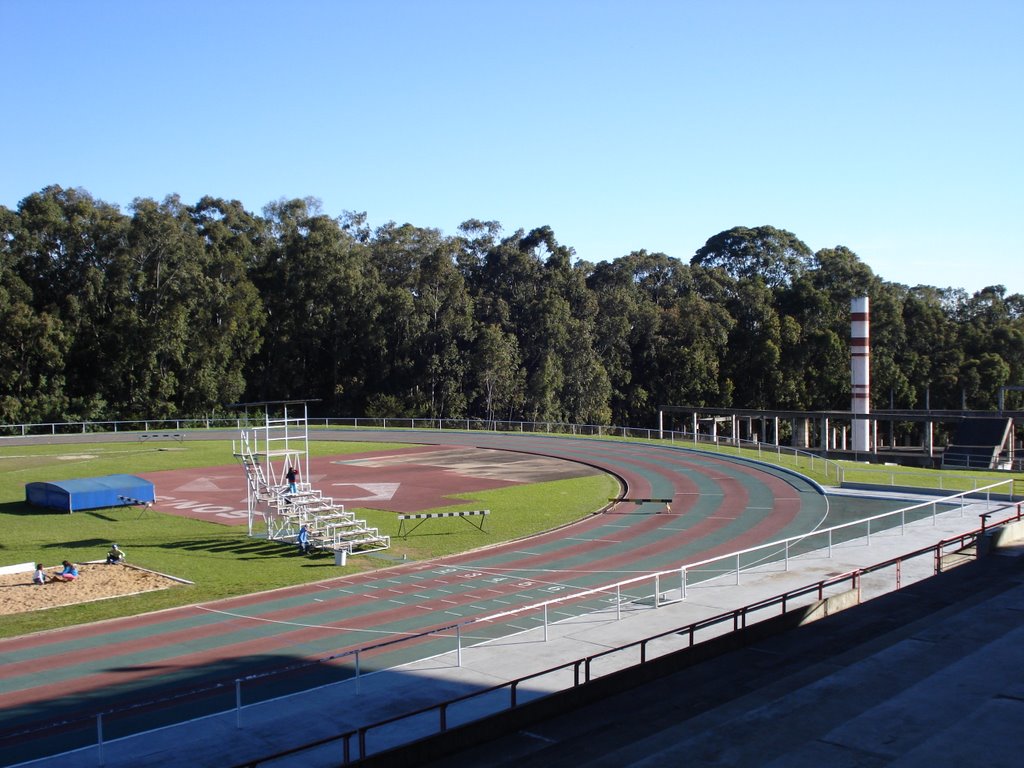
268, 729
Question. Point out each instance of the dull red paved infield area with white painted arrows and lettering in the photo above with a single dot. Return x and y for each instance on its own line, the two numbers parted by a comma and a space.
404, 481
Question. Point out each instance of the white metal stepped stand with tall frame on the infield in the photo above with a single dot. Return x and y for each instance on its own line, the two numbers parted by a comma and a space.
267, 452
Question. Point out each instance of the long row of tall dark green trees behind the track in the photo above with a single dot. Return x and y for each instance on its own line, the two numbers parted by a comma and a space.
176, 311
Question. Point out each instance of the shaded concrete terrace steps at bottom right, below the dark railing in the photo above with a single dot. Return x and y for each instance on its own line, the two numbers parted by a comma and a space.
927, 676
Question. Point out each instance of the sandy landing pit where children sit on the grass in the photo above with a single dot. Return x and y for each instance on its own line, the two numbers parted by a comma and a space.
96, 582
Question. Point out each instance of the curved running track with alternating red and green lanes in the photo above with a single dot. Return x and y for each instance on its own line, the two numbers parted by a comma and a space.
719, 506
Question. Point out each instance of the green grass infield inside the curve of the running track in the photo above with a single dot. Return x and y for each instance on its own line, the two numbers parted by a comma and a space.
224, 562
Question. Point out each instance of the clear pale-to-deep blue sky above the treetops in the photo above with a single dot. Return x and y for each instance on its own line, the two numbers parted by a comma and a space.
892, 127
